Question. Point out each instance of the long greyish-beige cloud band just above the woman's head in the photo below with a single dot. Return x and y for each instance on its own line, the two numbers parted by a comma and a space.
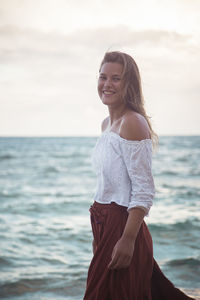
97, 39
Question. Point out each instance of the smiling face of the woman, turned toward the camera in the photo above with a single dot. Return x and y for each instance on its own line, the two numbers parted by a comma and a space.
110, 83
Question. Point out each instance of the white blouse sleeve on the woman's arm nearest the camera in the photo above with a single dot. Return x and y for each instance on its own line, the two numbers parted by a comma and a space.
137, 157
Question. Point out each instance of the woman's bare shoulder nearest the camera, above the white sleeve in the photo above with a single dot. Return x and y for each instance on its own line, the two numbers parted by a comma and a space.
134, 127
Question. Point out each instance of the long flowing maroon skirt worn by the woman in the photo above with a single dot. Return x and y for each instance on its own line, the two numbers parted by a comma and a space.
142, 280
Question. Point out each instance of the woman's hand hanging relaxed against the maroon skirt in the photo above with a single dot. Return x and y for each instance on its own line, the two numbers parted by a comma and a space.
122, 253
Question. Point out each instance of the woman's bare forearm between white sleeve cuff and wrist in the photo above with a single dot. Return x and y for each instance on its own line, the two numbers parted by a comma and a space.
133, 223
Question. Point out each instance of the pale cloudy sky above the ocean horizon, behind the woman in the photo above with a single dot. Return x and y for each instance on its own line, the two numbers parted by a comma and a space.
50, 52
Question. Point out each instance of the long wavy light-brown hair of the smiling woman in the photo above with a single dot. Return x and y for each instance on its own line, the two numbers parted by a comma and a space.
132, 88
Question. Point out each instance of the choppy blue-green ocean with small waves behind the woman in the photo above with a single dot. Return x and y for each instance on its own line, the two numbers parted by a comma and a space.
46, 188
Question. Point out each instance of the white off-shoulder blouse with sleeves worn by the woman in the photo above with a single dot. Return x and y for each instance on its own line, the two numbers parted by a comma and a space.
124, 171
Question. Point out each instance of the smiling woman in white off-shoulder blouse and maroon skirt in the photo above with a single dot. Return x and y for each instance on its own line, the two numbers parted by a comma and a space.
123, 267
